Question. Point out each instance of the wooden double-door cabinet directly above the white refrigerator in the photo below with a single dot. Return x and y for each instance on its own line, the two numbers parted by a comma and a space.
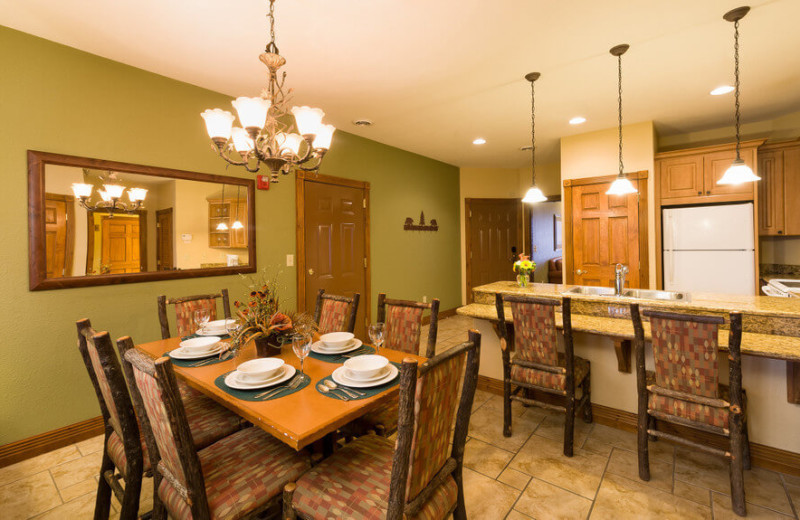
690, 176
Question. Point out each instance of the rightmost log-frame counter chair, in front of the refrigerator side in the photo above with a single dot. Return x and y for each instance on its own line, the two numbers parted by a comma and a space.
684, 389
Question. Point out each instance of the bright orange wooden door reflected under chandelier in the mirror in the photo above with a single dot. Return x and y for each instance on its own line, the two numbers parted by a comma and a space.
120, 245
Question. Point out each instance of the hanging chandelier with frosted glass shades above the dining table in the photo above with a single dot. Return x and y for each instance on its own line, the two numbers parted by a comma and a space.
267, 134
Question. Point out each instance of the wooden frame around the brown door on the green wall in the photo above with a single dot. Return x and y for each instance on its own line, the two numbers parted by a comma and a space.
300, 246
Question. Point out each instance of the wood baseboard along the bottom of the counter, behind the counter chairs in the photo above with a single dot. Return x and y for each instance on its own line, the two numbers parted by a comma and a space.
763, 456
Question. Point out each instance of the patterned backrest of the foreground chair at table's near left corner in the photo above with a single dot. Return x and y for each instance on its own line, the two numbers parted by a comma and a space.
168, 428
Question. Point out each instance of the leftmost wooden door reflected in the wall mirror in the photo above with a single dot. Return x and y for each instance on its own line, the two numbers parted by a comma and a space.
59, 234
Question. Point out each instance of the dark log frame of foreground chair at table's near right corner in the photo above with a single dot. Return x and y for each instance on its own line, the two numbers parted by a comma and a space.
399, 507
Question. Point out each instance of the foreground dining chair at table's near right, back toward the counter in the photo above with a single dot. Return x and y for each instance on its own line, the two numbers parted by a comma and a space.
416, 477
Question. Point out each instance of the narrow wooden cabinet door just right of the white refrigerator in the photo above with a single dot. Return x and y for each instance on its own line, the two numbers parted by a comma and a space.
770, 193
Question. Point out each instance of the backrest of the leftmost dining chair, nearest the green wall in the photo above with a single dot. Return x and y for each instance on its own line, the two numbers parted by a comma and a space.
109, 383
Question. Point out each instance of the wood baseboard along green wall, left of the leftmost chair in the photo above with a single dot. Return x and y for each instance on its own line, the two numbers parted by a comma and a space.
48, 441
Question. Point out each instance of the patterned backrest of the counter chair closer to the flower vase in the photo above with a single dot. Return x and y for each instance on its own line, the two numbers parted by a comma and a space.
535, 333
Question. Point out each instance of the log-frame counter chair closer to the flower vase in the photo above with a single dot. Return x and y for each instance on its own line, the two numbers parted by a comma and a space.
537, 365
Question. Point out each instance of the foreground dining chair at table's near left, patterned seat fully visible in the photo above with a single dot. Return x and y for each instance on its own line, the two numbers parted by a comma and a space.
239, 476
